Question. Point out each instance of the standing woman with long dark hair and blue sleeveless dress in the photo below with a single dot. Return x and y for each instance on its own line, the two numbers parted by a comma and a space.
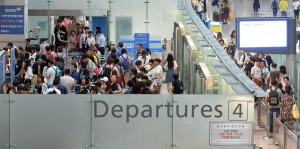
170, 67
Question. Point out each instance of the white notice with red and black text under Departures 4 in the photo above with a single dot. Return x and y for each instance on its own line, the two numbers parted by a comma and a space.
230, 133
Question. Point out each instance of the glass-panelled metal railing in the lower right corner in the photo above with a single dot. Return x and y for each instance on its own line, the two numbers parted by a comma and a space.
282, 136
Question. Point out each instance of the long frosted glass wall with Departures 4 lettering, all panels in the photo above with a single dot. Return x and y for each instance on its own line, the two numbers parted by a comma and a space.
105, 121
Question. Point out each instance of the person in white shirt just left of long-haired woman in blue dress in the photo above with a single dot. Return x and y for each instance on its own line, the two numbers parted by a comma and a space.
156, 77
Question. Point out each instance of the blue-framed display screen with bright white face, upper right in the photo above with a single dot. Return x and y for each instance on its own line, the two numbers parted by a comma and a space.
263, 34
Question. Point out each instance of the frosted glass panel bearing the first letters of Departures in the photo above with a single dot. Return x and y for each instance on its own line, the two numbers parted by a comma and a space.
142, 118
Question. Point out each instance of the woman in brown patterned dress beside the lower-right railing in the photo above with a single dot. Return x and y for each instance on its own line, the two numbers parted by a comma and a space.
286, 106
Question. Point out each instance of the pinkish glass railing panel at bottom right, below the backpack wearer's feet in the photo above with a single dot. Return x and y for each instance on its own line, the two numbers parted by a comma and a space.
278, 133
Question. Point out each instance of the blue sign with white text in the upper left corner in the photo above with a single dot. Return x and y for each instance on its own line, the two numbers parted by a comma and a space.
12, 20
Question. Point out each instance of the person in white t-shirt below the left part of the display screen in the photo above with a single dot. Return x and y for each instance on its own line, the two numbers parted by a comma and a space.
256, 73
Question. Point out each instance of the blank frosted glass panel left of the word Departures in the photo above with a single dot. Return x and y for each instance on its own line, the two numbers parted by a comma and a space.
50, 121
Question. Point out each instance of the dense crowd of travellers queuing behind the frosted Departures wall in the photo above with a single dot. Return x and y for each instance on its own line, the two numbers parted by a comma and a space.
42, 70
